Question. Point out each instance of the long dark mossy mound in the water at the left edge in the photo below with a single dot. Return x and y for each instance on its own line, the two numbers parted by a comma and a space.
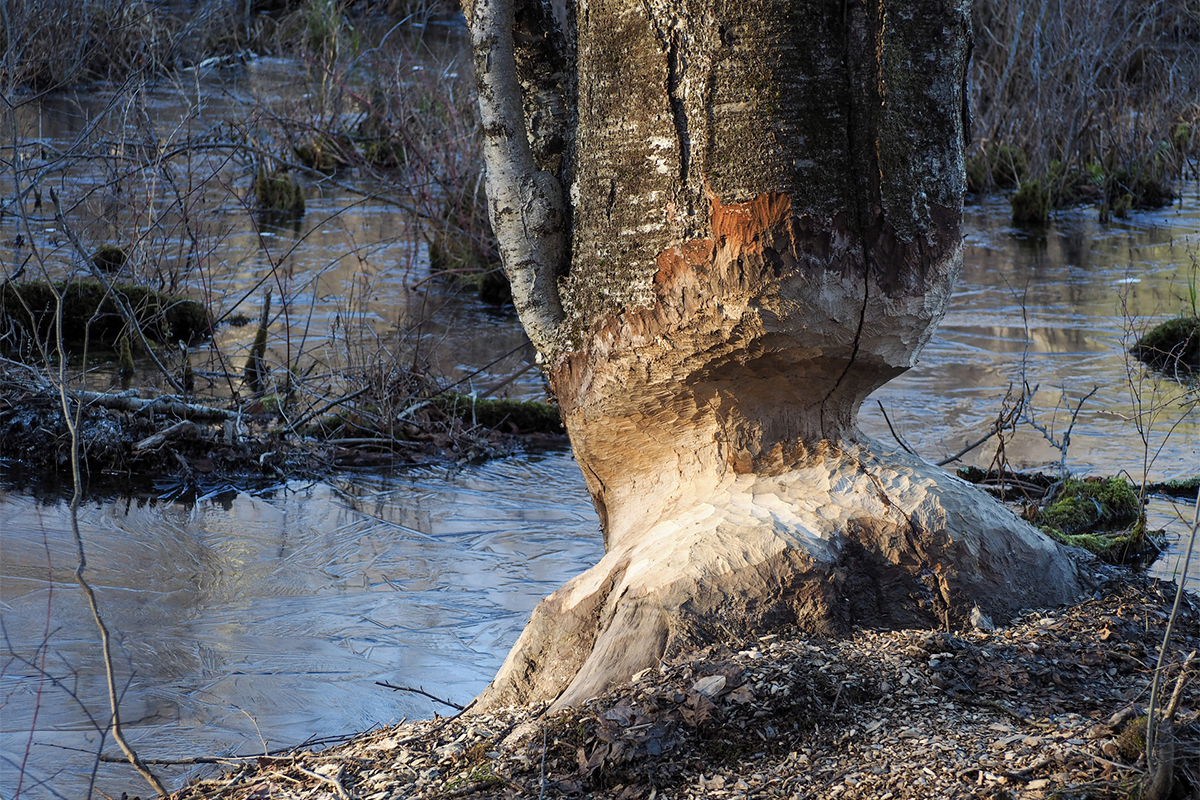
91, 311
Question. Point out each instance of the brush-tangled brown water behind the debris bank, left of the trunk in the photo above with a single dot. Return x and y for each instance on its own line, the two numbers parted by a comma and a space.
351, 286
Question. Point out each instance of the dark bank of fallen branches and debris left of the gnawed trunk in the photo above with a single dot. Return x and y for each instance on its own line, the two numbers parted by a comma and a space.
141, 436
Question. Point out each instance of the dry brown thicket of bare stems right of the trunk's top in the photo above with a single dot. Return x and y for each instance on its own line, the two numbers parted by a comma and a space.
1093, 98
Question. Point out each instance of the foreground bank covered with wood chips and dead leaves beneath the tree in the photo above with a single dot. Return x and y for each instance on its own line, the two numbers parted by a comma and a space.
1047, 707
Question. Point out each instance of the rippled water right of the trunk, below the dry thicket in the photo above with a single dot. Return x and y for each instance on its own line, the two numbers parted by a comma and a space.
1059, 312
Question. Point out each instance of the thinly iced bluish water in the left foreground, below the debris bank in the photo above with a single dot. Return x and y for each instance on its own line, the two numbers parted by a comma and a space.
255, 623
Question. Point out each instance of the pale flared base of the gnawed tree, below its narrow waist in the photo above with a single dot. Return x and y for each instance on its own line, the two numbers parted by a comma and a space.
853, 539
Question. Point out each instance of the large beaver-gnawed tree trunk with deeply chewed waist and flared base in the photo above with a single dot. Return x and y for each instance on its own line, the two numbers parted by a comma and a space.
763, 203
